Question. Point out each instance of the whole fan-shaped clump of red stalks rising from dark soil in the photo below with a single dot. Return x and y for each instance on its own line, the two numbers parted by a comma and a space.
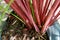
22, 8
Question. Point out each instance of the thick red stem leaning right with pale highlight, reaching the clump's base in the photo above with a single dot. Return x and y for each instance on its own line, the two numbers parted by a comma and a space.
45, 26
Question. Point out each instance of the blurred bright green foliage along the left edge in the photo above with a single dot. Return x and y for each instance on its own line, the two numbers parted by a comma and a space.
4, 8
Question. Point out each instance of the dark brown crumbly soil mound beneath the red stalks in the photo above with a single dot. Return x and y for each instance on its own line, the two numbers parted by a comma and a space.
16, 30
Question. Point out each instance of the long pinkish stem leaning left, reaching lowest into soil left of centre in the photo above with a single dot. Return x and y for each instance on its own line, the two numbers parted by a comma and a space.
28, 13
